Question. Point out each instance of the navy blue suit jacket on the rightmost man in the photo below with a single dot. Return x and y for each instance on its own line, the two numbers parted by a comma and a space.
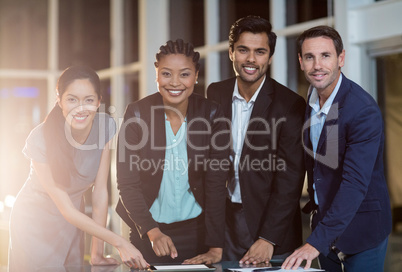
348, 174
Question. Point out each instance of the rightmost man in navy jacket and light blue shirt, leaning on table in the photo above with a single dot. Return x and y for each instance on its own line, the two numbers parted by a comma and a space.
344, 143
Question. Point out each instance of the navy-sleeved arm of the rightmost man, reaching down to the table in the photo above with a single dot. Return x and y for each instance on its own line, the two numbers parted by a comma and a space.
363, 140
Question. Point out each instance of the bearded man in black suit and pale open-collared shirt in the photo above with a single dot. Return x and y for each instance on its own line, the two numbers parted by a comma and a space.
264, 188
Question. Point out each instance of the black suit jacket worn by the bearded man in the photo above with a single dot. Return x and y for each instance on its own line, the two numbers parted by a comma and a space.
271, 193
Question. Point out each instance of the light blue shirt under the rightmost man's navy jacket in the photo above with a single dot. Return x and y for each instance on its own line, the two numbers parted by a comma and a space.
318, 117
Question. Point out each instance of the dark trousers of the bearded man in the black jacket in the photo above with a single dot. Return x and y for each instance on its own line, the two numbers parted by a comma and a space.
238, 239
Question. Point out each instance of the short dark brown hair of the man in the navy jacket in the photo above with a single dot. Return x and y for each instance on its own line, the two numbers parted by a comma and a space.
321, 31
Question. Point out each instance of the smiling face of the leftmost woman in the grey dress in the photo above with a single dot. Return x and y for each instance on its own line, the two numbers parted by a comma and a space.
79, 103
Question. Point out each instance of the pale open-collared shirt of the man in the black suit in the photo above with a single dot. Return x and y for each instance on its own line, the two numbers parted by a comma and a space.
241, 112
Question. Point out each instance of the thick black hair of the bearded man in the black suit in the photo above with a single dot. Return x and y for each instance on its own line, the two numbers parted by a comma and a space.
255, 25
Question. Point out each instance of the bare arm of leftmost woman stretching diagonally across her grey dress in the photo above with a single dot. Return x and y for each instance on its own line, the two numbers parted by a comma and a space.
129, 254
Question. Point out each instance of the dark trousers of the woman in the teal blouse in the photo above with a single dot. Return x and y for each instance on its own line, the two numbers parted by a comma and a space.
188, 237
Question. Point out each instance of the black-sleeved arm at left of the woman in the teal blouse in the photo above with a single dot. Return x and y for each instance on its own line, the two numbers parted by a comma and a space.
134, 137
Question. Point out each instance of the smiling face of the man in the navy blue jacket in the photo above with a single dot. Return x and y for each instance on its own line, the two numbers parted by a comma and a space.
321, 64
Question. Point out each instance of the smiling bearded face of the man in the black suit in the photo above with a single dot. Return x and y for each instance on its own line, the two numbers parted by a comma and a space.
250, 57
